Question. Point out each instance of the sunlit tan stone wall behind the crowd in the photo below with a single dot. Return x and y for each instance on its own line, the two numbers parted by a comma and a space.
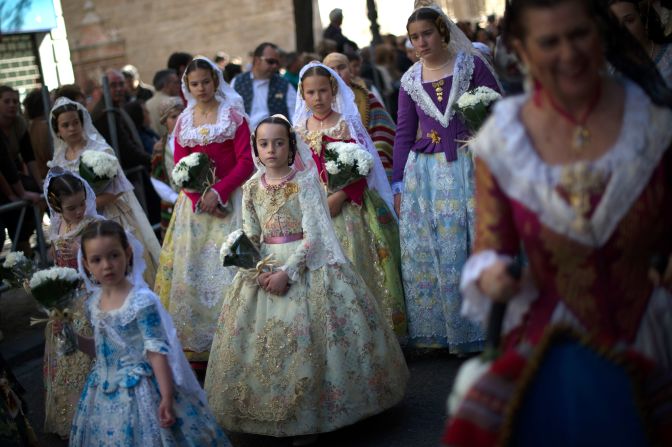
152, 30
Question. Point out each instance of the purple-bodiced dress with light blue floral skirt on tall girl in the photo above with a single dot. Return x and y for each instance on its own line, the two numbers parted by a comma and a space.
436, 225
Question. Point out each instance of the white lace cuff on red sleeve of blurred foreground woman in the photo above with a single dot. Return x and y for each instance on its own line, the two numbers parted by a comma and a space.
476, 305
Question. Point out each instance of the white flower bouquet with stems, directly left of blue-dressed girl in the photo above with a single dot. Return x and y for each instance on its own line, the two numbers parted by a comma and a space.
55, 288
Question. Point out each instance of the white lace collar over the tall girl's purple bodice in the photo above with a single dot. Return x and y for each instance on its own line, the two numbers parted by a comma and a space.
462, 72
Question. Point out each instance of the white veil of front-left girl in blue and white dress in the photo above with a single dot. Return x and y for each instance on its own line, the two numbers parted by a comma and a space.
183, 375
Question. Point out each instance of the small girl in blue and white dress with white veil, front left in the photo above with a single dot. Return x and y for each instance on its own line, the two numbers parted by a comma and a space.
141, 391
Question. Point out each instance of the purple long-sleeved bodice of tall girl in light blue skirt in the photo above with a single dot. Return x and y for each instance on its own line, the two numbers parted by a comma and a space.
417, 129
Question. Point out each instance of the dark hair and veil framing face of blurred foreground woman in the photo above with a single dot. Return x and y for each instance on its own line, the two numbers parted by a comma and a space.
622, 50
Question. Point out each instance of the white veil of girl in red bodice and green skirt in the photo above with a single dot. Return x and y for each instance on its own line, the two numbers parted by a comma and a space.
344, 103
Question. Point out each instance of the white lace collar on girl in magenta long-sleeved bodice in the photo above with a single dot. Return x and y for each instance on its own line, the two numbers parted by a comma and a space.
224, 129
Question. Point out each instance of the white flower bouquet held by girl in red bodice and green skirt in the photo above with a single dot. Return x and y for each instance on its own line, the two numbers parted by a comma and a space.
346, 163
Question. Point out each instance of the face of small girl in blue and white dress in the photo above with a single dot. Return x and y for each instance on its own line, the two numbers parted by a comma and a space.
106, 259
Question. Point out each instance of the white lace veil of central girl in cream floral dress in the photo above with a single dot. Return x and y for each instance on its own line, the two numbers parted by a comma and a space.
318, 231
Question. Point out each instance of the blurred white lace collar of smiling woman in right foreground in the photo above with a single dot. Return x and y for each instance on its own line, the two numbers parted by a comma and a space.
505, 147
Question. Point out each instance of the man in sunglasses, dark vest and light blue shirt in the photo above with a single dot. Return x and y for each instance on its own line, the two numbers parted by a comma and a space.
264, 91
